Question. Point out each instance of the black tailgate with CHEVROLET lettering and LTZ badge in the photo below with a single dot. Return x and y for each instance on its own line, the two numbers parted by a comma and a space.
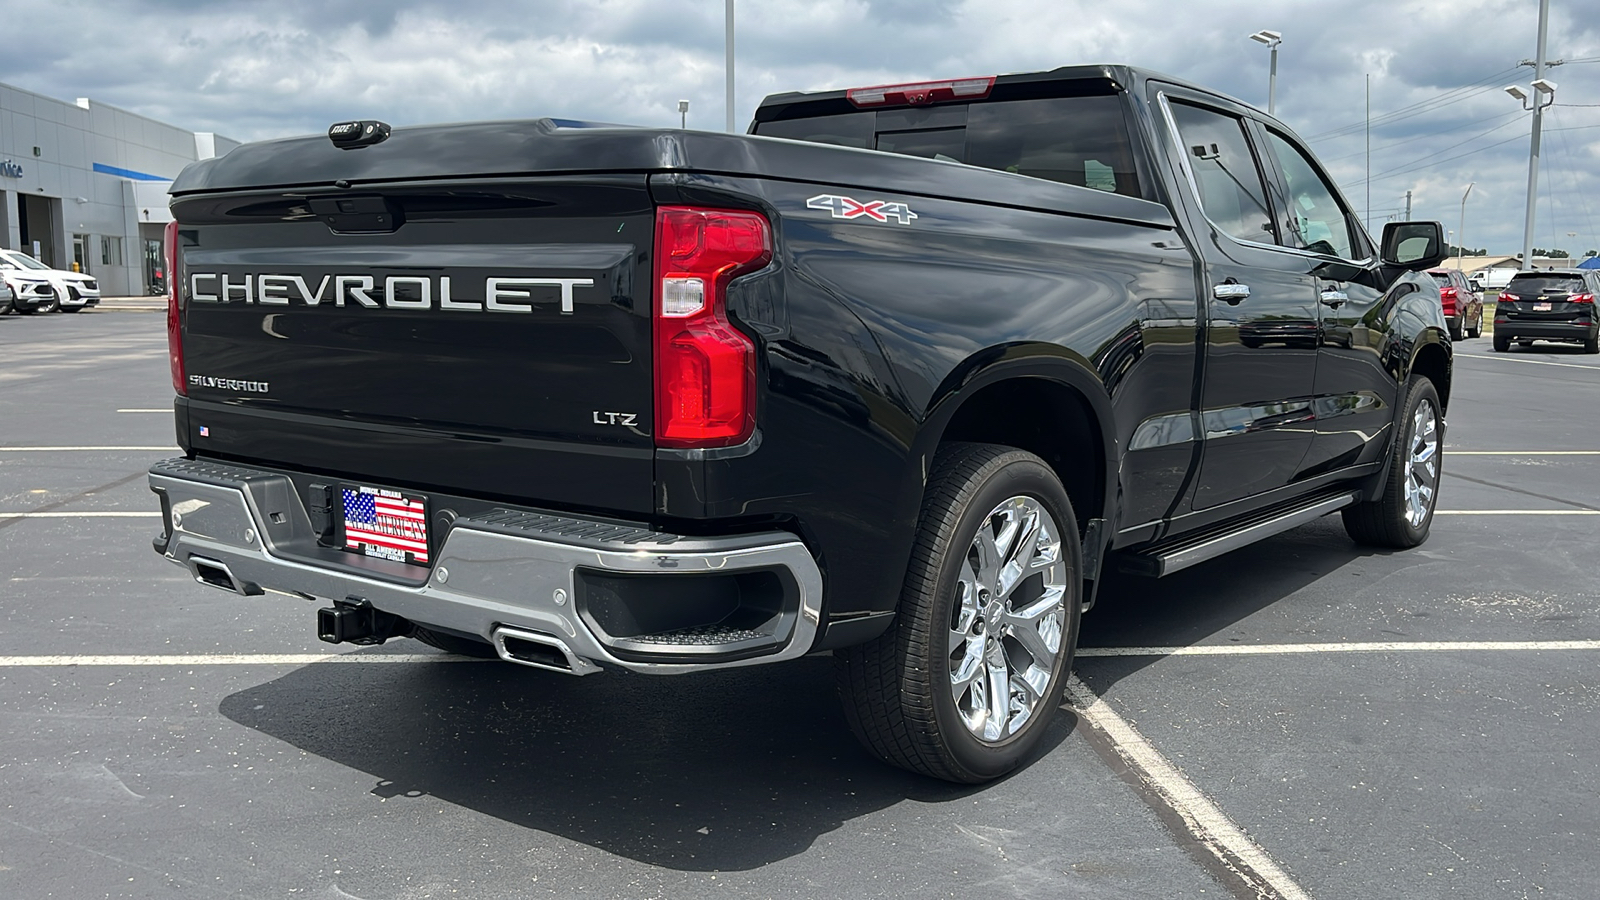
487, 337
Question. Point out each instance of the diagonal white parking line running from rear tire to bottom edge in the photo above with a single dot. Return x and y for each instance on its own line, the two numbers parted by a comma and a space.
1202, 818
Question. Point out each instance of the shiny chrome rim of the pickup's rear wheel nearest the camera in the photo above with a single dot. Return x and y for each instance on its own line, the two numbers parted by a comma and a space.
1009, 619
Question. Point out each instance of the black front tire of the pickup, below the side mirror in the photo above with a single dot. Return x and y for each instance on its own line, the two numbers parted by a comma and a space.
1385, 523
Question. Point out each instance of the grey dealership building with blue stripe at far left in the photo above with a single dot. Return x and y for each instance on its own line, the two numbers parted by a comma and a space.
86, 185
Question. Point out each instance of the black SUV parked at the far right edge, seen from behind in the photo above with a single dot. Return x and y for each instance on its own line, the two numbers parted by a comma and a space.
1550, 305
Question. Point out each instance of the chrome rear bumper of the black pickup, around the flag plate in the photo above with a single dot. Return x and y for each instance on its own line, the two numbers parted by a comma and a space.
502, 573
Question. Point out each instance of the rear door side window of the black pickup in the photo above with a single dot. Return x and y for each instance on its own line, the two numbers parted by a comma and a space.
1226, 172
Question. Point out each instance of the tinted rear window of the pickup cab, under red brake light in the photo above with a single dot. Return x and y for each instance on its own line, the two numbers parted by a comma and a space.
1076, 140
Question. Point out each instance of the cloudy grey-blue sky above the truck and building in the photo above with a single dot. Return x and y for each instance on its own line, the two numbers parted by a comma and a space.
1439, 119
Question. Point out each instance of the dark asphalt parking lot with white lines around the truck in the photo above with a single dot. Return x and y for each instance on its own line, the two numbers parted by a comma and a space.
1418, 725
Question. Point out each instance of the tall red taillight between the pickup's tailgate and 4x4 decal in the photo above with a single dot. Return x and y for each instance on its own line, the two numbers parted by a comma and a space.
705, 366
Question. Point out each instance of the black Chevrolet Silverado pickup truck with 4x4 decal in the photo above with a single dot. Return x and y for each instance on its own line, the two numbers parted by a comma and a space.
898, 376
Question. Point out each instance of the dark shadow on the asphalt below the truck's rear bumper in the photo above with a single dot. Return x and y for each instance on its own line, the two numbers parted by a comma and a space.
721, 771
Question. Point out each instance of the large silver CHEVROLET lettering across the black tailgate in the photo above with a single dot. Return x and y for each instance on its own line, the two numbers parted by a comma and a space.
391, 292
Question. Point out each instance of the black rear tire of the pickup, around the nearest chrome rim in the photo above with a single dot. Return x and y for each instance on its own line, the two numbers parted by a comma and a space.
897, 689
